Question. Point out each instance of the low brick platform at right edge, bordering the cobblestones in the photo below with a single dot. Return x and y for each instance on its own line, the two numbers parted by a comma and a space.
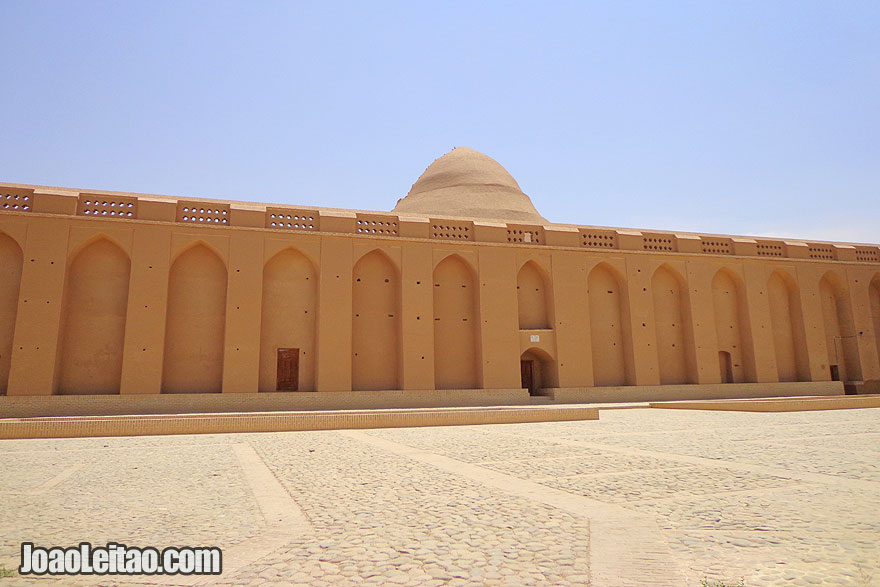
779, 404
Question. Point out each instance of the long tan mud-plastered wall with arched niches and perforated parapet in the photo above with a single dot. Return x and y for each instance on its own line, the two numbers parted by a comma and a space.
127, 294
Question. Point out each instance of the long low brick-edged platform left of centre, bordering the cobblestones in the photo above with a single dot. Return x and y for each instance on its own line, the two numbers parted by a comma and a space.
149, 425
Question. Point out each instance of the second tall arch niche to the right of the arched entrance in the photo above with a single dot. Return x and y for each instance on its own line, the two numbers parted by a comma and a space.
672, 326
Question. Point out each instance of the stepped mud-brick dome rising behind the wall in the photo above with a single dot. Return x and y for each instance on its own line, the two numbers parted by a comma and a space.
467, 184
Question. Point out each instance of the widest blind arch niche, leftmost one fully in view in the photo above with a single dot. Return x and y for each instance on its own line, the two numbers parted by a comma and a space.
93, 319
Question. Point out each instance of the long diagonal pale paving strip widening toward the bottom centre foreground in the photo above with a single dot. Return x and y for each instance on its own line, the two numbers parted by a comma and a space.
627, 549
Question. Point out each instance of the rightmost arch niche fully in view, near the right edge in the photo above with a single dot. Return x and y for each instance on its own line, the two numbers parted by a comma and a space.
840, 334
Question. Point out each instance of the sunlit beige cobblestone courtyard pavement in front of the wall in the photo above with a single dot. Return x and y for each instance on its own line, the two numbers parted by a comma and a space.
641, 497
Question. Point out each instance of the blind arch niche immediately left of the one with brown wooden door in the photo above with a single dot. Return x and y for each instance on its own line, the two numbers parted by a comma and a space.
195, 323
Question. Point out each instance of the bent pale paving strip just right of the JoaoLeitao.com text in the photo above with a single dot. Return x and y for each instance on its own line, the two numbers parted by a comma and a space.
284, 522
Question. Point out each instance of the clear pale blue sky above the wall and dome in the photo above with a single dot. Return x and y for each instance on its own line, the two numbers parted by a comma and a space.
748, 117
